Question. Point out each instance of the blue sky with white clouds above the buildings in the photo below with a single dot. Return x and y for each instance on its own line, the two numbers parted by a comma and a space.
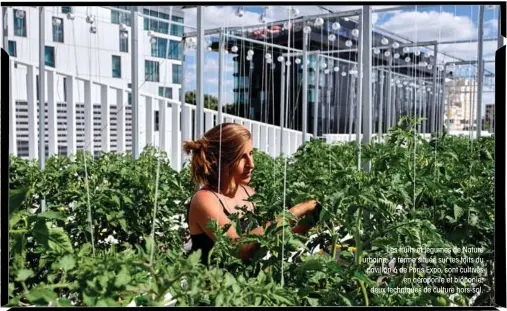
447, 22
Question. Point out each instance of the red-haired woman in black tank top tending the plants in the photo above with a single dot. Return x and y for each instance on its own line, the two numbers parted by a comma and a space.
224, 157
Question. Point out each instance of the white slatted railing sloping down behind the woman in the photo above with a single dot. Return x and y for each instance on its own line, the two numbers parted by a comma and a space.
172, 120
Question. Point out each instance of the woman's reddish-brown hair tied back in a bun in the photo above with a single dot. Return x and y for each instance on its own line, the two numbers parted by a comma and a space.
207, 151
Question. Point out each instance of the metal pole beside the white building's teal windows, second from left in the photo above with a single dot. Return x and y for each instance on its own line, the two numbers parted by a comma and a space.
135, 82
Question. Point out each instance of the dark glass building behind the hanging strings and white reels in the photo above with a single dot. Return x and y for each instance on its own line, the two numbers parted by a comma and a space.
258, 83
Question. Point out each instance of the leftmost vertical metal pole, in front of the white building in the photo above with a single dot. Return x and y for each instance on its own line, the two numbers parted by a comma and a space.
42, 96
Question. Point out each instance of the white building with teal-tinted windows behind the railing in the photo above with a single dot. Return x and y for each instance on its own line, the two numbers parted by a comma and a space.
93, 43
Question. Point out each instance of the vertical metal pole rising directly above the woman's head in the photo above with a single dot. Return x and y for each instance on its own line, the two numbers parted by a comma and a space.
199, 112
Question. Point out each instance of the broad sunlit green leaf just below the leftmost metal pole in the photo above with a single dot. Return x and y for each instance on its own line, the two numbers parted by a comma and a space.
55, 239
